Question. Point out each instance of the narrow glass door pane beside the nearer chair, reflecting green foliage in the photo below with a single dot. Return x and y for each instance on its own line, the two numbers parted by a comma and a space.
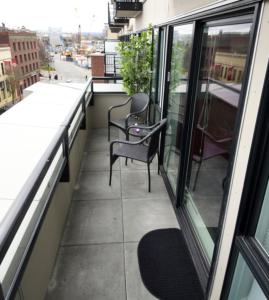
180, 62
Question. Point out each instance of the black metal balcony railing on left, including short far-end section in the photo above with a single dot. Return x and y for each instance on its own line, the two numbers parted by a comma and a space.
15, 215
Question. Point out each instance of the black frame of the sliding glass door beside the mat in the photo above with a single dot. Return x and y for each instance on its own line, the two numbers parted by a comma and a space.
234, 14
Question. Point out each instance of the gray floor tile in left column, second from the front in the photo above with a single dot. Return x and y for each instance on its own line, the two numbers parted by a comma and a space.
94, 222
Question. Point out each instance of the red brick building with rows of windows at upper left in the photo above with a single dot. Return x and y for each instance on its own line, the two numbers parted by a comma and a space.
24, 53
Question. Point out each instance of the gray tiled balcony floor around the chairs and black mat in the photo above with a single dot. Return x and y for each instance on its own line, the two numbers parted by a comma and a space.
98, 254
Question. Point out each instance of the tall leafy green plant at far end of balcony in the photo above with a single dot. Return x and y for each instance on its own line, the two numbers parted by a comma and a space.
136, 62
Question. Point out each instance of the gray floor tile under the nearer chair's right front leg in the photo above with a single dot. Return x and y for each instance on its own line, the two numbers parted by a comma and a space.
135, 185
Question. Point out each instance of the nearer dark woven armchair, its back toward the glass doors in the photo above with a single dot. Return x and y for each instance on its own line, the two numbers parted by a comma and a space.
143, 150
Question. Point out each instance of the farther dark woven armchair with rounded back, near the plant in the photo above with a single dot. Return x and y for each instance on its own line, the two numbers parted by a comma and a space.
138, 112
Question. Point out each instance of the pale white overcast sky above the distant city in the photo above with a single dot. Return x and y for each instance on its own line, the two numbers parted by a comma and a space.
67, 14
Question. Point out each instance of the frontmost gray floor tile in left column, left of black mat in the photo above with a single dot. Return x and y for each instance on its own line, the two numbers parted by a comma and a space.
88, 272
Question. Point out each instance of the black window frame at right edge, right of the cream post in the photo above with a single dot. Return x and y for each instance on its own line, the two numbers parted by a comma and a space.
245, 243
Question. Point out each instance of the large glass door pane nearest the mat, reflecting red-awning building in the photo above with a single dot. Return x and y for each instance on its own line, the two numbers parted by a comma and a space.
224, 53
